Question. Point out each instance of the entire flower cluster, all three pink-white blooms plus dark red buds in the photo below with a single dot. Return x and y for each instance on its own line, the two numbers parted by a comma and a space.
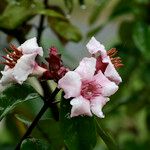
90, 85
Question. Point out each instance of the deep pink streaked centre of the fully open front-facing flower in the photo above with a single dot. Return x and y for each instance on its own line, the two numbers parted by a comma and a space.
90, 89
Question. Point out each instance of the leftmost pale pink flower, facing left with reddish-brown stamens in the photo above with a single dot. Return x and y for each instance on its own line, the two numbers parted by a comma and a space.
20, 63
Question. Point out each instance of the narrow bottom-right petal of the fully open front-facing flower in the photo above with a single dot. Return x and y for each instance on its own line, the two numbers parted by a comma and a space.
97, 104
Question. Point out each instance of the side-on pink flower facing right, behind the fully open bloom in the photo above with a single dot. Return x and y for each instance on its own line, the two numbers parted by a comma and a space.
105, 61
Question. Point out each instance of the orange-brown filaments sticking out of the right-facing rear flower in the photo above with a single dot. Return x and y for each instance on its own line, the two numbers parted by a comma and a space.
115, 60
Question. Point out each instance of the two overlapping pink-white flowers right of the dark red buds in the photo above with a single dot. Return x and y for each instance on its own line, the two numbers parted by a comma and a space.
93, 81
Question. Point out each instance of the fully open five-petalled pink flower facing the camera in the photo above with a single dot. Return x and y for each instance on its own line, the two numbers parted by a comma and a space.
89, 90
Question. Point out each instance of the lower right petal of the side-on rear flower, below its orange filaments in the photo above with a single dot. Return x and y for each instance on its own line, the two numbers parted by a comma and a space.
110, 72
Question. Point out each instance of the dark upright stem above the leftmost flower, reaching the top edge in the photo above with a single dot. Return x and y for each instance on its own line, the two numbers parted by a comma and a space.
41, 24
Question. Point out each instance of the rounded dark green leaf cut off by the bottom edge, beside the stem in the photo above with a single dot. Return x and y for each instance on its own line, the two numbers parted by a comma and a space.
34, 144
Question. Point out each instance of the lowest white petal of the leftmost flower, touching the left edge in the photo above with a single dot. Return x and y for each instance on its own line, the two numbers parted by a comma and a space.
7, 77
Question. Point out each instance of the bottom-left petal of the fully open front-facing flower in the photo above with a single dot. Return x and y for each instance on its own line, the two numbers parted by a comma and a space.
80, 106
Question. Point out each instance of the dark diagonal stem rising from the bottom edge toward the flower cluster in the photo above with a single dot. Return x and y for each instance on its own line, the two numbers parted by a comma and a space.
37, 118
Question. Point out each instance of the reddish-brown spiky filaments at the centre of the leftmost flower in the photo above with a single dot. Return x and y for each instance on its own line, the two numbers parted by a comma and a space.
12, 56
